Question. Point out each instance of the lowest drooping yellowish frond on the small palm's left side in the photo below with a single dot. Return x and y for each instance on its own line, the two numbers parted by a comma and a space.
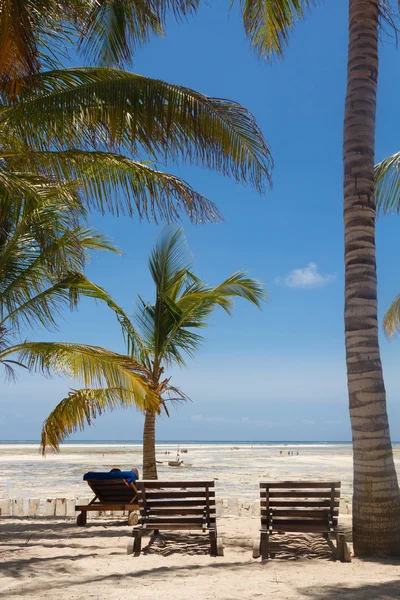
81, 407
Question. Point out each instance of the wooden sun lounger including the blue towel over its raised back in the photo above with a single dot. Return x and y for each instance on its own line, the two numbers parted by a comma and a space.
113, 491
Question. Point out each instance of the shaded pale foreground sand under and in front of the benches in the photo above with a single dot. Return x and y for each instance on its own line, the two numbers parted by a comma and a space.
55, 559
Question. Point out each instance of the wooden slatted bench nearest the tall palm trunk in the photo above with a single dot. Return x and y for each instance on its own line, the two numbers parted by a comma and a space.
300, 506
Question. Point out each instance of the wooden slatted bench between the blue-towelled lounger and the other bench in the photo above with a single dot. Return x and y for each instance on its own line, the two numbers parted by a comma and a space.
174, 506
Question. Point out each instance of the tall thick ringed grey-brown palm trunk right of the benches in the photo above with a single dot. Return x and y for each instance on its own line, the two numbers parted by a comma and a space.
376, 503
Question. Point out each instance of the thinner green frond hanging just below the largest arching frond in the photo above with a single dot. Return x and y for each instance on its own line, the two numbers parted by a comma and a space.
121, 185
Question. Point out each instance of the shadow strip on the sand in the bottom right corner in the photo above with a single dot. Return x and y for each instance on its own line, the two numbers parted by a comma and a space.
375, 591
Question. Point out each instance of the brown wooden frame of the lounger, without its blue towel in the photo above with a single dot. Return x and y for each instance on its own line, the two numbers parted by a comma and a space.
115, 494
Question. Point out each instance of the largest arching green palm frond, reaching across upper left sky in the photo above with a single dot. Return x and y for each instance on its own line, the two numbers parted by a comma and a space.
97, 108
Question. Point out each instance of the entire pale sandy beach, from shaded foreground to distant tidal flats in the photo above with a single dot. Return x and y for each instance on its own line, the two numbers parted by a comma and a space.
51, 557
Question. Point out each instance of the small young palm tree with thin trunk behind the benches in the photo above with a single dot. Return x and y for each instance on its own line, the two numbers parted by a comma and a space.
164, 333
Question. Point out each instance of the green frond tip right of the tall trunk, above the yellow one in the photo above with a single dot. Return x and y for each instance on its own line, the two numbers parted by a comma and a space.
387, 185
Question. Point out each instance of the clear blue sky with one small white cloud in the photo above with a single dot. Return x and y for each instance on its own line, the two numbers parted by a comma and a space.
278, 373
